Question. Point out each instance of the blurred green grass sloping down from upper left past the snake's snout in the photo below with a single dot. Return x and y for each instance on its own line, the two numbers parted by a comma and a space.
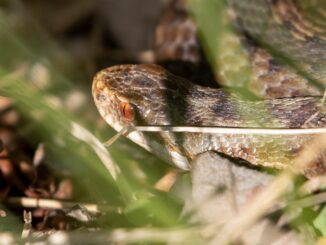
52, 94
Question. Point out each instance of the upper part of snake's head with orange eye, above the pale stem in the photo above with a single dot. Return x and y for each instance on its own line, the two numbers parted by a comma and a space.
137, 95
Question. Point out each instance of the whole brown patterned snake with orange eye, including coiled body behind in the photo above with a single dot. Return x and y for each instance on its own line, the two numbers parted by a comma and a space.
149, 95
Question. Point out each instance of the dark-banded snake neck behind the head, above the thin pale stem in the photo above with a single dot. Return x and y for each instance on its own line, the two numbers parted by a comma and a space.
215, 107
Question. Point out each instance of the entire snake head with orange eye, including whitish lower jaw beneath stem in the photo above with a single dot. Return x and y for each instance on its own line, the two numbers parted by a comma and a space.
133, 95
